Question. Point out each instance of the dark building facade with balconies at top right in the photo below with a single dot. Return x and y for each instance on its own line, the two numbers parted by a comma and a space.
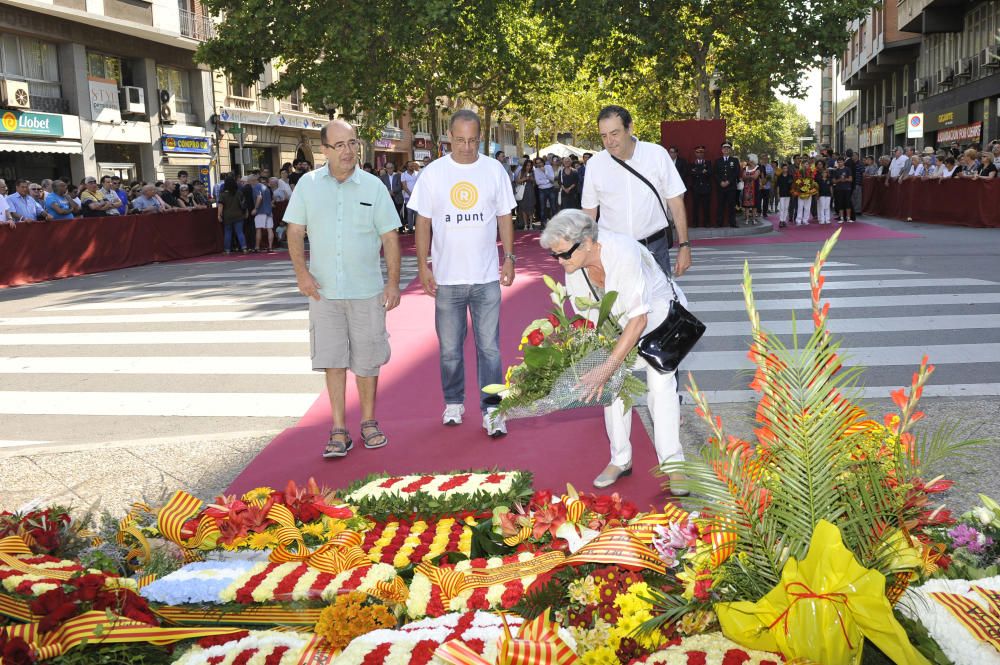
935, 57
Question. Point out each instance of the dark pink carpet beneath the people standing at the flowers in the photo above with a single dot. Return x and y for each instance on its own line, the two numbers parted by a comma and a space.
567, 447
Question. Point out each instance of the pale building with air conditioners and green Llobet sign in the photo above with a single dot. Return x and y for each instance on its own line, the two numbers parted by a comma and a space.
102, 86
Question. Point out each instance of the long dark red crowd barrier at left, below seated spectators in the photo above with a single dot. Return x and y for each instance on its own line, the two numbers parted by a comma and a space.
64, 248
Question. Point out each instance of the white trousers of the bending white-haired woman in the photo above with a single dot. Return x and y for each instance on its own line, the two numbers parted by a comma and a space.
665, 411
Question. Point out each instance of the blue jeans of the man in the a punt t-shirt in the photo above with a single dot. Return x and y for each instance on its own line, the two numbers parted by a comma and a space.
452, 305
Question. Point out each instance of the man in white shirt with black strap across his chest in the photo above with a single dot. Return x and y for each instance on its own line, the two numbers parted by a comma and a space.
627, 204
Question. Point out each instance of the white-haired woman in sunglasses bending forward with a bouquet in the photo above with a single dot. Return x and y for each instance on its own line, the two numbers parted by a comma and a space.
616, 262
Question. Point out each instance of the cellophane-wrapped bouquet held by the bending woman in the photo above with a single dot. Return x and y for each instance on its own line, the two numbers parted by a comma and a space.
559, 350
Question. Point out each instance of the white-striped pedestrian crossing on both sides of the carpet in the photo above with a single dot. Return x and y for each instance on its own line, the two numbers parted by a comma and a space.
202, 348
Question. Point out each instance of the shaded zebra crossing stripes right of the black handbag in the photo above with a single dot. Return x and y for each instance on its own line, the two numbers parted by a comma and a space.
887, 319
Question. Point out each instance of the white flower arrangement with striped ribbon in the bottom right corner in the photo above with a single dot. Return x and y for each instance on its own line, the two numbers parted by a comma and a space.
955, 640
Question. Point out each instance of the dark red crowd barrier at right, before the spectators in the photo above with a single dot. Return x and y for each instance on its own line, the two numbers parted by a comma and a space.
954, 201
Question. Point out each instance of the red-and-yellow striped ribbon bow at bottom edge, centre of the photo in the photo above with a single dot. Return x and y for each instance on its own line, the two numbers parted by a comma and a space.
537, 643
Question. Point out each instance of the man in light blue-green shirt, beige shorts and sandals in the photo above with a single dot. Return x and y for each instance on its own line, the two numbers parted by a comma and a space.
349, 217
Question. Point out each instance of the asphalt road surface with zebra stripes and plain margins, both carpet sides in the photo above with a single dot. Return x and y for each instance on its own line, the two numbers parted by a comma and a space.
213, 356
